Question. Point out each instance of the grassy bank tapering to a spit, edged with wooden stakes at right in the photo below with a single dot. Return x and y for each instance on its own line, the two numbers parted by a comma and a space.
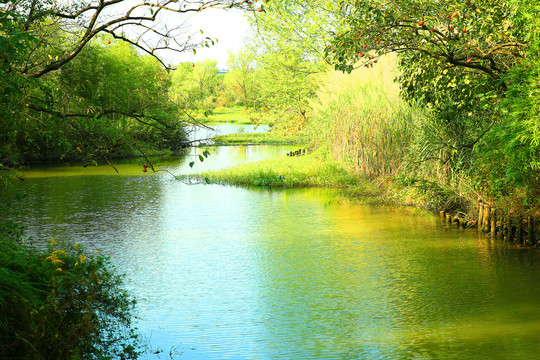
317, 170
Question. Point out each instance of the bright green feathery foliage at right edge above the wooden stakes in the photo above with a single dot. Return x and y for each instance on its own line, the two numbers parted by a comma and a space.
509, 158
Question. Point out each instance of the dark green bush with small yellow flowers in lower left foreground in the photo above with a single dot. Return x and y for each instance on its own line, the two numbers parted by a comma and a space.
62, 304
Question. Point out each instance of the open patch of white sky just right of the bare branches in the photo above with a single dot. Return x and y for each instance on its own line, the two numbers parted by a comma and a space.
230, 27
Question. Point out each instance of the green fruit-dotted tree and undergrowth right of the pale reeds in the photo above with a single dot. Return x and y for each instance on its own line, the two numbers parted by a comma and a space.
473, 64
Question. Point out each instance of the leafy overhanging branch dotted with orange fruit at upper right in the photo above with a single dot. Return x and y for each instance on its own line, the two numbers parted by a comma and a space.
479, 36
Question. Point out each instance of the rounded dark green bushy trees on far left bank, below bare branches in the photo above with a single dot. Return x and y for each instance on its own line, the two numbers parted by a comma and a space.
96, 106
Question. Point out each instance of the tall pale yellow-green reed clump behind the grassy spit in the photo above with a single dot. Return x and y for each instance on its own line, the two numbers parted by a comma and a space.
362, 119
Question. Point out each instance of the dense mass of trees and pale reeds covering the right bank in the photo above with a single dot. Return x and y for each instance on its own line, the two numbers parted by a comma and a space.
460, 123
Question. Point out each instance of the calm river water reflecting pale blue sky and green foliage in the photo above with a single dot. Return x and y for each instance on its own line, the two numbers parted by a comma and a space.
230, 273
